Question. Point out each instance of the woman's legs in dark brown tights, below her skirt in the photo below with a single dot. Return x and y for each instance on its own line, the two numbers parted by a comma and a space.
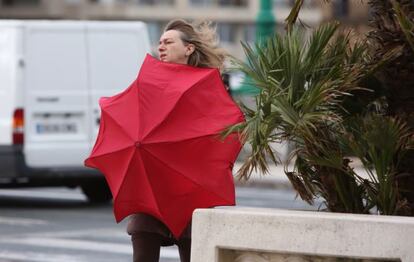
146, 247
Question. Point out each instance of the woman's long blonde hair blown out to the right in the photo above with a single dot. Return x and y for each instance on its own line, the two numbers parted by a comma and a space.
204, 37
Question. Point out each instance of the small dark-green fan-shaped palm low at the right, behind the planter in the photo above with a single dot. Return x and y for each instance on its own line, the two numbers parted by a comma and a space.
380, 142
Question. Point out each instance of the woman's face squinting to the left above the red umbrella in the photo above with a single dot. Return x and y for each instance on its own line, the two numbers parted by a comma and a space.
172, 49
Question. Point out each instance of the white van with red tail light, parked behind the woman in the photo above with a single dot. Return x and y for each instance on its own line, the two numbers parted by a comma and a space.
52, 74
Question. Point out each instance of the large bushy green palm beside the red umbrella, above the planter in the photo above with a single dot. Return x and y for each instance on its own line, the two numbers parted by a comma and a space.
302, 87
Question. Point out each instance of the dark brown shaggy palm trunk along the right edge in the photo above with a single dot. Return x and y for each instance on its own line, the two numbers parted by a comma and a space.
393, 29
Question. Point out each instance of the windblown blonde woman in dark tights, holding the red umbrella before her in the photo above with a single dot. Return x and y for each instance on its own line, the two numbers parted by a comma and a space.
181, 43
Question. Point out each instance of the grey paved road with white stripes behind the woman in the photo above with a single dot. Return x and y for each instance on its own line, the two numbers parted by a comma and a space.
50, 224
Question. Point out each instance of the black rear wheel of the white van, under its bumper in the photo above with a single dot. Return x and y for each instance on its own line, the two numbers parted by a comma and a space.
97, 191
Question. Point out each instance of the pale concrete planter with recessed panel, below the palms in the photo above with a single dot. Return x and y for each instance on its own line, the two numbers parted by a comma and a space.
260, 235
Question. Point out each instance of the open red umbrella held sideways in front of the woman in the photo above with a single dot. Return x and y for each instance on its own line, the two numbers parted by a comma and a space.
158, 144
